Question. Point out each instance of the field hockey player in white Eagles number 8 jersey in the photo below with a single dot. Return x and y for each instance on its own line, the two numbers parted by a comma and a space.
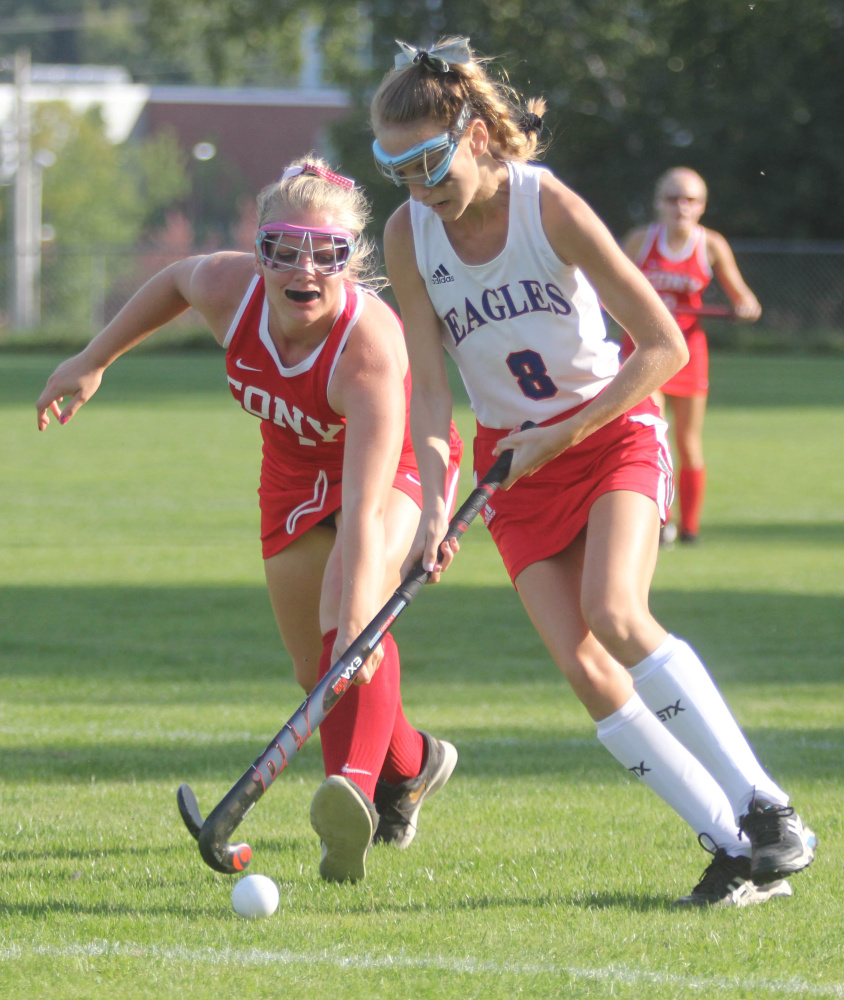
496, 260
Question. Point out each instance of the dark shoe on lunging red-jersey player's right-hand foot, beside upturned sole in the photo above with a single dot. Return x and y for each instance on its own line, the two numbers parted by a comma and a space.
398, 805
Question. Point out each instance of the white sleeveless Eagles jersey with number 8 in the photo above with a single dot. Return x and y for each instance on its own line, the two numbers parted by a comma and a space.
525, 329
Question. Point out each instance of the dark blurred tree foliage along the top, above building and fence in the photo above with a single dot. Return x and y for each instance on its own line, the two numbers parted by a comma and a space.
749, 94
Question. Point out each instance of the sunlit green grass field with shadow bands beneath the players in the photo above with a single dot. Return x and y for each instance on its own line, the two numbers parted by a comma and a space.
138, 651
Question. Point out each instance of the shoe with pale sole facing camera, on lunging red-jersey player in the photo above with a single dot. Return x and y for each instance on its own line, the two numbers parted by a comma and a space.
345, 820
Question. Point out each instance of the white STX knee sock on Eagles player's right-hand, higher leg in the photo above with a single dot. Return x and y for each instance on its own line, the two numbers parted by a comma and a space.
677, 687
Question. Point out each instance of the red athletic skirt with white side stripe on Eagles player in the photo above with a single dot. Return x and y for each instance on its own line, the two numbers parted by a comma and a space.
542, 514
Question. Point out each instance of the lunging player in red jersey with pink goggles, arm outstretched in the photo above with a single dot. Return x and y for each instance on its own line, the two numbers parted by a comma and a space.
322, 362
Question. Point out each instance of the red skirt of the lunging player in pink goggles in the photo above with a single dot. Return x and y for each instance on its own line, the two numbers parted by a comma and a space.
287, 514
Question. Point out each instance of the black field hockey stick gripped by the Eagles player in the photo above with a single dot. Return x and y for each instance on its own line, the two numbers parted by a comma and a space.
213, 833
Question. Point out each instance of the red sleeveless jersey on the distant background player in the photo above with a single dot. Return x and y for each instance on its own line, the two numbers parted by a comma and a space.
679, 276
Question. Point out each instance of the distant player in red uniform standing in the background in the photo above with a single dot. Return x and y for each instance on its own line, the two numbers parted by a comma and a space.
679, 257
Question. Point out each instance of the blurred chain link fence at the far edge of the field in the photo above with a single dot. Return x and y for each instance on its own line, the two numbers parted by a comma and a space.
800, 286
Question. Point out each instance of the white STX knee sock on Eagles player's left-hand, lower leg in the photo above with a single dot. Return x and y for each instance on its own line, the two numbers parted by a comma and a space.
638, 742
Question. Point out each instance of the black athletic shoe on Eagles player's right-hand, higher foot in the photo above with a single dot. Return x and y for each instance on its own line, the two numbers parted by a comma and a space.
781, 843
